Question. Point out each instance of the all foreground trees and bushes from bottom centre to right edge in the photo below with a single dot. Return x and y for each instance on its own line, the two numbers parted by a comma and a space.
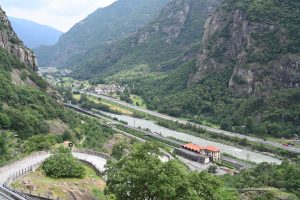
149, 177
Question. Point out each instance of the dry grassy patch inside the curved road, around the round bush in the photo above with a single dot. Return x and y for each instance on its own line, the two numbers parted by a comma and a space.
89, 186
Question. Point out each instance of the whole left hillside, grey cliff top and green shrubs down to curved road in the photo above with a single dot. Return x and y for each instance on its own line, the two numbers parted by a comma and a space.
30, 119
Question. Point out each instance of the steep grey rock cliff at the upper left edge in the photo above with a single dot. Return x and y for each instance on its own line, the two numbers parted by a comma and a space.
10, 42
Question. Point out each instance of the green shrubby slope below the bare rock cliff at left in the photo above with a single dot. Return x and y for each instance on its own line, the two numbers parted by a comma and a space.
27, 113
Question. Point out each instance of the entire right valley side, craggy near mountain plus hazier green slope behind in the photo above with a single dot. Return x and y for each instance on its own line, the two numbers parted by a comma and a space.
232, 62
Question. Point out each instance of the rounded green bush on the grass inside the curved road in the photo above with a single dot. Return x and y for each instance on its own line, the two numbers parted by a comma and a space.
63, 165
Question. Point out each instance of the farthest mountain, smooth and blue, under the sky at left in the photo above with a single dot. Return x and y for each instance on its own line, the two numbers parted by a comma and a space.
34, 34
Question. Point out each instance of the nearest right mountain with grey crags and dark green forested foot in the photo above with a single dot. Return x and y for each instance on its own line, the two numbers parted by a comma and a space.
245, 76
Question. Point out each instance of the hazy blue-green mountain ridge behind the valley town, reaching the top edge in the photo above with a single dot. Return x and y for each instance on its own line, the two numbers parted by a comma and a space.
101, 28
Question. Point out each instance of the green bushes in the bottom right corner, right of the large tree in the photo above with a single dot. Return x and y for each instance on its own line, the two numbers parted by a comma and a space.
271, 177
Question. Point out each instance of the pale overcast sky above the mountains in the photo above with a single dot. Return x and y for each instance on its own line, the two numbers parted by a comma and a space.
60, 14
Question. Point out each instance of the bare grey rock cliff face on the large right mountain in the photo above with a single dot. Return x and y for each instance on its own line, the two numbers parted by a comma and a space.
234, 42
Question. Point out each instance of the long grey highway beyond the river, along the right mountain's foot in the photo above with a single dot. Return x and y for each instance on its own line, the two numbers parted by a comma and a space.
213, 130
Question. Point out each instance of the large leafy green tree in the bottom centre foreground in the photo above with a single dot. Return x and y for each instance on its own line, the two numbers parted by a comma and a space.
142, 175
